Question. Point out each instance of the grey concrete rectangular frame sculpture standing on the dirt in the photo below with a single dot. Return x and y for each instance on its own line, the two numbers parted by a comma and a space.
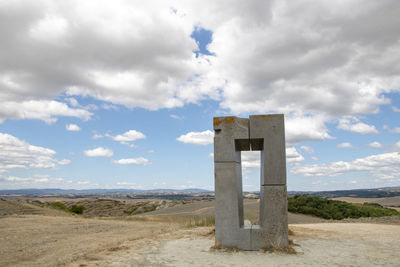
265, 133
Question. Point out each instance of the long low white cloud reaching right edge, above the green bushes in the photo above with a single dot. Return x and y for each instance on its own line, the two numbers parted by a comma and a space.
381, 166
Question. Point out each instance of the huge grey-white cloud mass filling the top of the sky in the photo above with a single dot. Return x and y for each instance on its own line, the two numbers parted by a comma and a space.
318, 59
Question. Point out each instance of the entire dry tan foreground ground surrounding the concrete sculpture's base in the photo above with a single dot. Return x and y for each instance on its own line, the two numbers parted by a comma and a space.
40, 240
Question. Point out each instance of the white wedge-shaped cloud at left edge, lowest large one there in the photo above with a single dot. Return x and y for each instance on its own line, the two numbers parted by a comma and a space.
17, 154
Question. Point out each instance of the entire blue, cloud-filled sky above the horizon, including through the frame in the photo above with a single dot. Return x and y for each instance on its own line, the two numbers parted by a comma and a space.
121, 94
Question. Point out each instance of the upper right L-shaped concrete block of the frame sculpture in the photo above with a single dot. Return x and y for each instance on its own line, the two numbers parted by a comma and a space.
271, 129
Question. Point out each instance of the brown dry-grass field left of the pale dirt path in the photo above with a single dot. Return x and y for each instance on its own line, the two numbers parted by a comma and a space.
40, 240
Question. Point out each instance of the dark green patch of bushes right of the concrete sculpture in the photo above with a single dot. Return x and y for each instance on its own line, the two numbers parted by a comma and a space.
337, 210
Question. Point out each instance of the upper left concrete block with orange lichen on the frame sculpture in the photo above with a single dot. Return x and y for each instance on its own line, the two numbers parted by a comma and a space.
227, 130
